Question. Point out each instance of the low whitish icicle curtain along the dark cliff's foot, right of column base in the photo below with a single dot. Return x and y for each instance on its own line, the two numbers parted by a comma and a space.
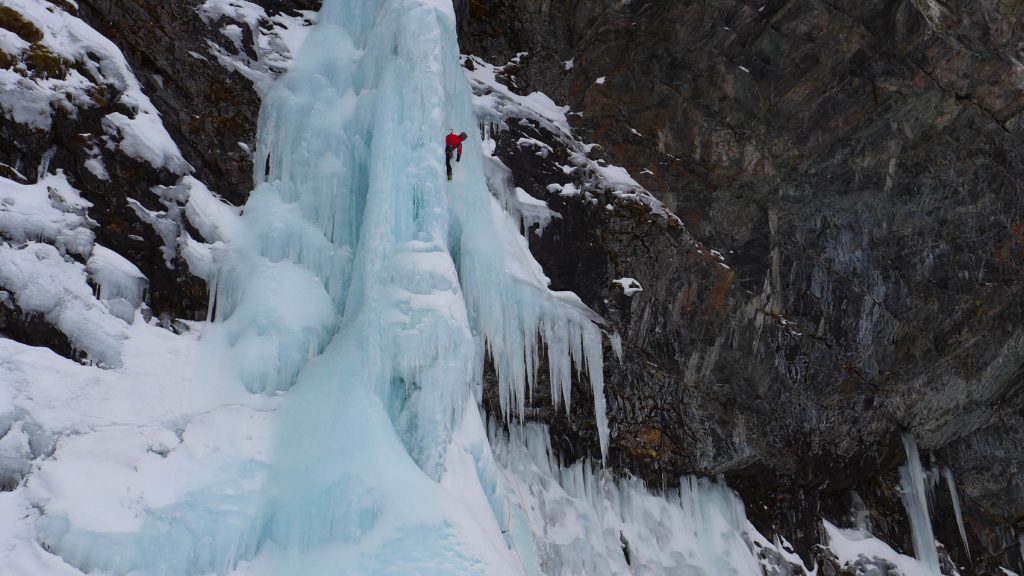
582, 516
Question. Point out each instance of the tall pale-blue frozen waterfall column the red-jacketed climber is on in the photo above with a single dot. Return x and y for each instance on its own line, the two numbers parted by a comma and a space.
373, 289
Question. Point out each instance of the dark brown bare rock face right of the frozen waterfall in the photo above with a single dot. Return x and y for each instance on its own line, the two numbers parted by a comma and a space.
858, 169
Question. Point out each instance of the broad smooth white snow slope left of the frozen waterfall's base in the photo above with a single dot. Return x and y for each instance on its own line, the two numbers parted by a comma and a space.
116, 452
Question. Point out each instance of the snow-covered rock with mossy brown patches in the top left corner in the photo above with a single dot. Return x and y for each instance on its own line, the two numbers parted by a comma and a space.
28, 98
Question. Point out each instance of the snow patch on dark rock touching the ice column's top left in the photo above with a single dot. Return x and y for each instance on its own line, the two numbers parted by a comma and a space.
277, 38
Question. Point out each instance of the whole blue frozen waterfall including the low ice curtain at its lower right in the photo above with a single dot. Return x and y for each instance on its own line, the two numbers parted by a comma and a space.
354, 310
